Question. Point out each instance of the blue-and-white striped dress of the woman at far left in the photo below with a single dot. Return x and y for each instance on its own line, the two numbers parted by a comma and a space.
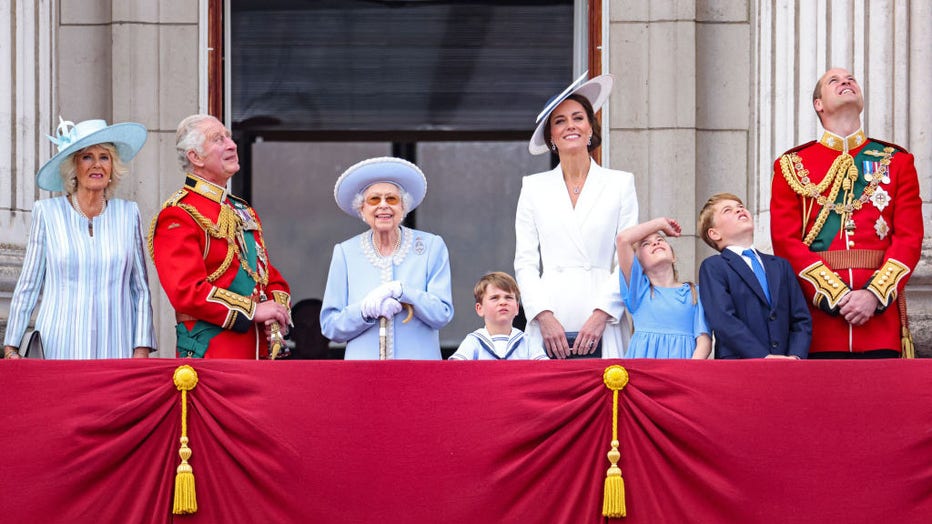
95, 292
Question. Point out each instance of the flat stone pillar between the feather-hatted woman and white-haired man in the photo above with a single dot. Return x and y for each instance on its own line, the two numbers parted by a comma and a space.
155, 81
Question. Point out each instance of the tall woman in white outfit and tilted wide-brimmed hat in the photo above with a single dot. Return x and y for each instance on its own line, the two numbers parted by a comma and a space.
566, 222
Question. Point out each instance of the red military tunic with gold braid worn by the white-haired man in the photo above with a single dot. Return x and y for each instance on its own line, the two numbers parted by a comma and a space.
210, 256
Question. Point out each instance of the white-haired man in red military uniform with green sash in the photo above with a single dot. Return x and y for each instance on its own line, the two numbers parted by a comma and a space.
211, 259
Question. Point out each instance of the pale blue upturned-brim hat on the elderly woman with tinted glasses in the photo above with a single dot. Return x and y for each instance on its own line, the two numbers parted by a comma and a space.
393, 170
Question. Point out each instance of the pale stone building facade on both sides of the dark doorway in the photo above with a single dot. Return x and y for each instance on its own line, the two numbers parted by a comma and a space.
707, 95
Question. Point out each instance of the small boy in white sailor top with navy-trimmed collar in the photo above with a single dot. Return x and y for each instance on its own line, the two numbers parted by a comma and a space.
497, 298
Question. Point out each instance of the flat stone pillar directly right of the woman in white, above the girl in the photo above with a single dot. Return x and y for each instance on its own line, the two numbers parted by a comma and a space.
652, 112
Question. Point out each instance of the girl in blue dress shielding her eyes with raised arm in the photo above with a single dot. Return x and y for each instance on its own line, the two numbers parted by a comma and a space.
668, 318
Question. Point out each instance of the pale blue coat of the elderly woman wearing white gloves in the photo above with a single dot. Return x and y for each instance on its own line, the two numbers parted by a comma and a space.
421, 263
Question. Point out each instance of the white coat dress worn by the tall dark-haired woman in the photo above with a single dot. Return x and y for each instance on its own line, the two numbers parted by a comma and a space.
565, 258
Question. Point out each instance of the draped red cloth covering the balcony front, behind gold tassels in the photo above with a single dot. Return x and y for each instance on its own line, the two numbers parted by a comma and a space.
469, 442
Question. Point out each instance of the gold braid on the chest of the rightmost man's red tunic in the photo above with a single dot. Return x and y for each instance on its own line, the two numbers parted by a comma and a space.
842, 174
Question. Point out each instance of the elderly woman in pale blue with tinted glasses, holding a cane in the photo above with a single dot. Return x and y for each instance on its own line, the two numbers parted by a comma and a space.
388, 291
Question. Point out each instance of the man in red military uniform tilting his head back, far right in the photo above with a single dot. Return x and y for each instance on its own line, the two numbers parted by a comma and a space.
846, 212
